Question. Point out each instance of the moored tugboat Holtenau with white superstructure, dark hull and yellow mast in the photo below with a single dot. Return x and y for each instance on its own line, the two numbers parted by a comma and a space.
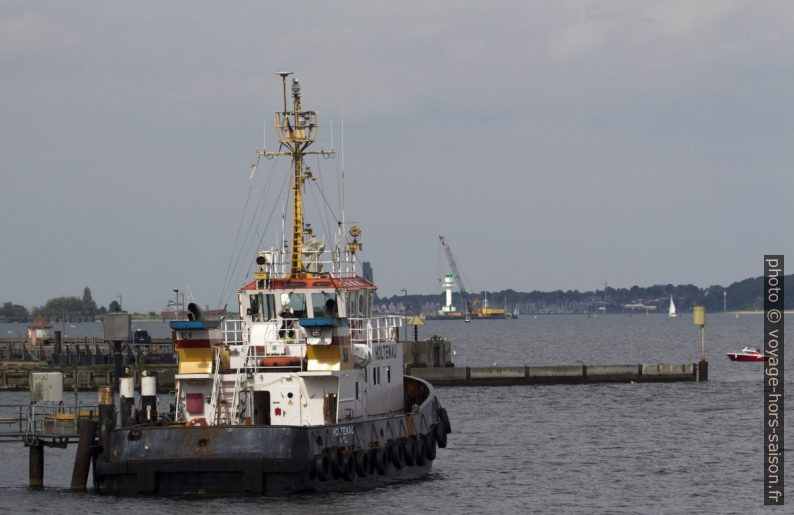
305, 392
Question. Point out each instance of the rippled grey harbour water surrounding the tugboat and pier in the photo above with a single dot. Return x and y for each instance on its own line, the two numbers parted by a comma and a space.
666, 448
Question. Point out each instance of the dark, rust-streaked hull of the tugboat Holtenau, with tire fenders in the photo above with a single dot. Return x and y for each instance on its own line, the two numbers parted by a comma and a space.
271, 460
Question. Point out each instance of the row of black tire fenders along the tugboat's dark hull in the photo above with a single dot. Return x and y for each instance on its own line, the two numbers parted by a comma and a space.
417, 450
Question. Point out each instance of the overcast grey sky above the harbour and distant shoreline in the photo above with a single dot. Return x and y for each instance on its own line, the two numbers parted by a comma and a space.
556, 144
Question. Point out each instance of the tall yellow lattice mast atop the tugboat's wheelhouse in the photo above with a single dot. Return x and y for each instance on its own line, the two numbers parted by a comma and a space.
296, 129
